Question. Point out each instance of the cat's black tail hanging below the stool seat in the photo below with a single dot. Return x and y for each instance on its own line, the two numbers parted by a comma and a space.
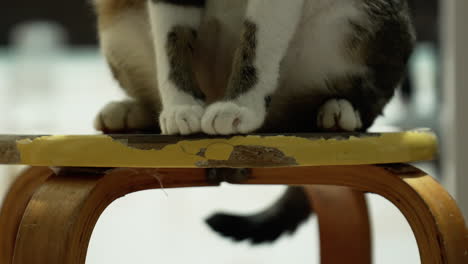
284, 216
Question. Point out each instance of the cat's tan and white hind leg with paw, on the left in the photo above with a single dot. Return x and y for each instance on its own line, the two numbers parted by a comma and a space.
127, 46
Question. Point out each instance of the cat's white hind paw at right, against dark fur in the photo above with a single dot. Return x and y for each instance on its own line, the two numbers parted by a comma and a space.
339, 114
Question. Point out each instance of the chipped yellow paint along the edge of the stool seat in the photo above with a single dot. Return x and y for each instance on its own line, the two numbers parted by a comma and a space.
104, 151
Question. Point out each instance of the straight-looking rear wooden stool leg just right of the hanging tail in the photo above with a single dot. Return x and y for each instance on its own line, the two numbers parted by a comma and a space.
343, 217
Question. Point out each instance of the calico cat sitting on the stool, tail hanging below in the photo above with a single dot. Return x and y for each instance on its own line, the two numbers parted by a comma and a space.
224, 67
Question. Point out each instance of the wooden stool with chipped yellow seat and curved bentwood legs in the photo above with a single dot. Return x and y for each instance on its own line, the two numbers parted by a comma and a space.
48, 216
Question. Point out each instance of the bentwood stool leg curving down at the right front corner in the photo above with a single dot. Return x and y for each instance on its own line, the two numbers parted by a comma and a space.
437, 222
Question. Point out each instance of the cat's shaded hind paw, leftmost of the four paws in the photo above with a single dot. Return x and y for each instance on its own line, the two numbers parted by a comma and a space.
124, 116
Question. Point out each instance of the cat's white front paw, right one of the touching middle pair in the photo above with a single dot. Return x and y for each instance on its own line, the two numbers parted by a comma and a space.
226, 118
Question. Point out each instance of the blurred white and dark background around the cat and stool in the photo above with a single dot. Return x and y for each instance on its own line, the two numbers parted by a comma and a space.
53, 80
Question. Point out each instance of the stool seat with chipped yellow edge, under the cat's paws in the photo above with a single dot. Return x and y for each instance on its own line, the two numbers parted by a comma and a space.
251, 151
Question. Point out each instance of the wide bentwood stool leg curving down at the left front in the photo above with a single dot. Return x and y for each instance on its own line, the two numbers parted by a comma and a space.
58, 221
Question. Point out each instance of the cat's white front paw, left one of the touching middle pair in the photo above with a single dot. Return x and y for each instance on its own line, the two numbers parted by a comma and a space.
181, 119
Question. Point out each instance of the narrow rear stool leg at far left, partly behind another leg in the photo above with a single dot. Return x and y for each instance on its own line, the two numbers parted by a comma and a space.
14, 205
